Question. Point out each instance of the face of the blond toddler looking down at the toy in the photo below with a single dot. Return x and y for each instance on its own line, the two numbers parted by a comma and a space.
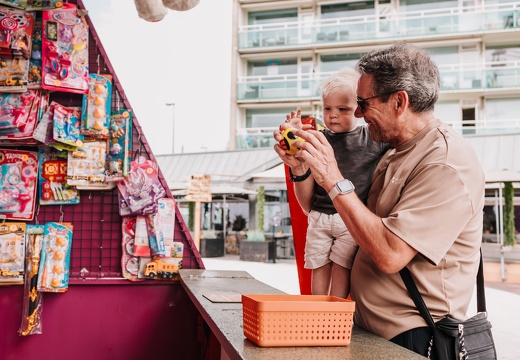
338, 111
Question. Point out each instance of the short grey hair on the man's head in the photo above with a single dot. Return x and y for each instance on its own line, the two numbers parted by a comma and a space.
403, 67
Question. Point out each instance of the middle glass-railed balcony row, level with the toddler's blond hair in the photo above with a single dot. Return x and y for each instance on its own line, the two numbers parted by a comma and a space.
455, 78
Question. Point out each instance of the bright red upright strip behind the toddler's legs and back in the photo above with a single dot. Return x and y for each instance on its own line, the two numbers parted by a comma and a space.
299, 228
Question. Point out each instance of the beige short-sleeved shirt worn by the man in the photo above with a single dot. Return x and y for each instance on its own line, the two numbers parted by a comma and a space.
430, 193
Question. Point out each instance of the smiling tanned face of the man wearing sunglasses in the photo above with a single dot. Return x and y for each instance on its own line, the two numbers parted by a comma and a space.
376, 113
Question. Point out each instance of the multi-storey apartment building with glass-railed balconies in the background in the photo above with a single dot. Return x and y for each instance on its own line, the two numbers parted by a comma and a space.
283, 50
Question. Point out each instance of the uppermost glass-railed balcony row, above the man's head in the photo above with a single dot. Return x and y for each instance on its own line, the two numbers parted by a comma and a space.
423, 24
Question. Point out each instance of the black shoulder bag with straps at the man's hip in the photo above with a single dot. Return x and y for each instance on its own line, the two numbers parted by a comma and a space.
455, 339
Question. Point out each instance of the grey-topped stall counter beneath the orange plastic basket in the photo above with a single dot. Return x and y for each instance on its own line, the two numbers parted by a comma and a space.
225, 321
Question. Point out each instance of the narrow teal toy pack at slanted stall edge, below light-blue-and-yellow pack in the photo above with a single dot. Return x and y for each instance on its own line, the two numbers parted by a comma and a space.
119, 146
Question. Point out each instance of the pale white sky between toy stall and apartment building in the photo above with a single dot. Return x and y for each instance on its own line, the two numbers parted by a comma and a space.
183, 59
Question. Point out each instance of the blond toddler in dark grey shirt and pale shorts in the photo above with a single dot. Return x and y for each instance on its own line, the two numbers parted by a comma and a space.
330, 249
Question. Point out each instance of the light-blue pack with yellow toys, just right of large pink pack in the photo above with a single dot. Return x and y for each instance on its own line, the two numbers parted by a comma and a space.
96, 106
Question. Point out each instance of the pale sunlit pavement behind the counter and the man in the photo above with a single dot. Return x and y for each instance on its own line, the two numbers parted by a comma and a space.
502, 282
